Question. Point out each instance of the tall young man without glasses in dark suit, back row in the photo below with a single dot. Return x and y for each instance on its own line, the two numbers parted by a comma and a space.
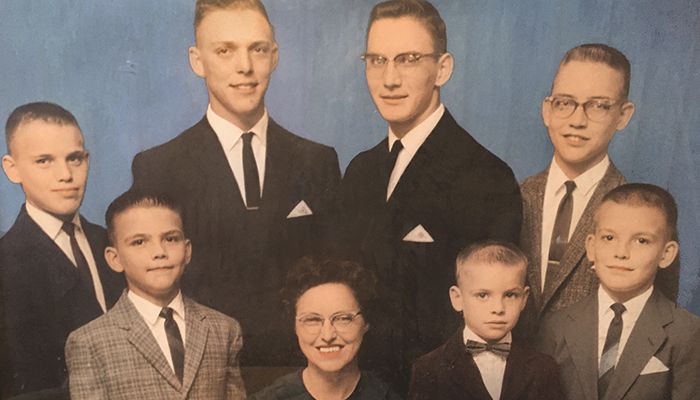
255, 197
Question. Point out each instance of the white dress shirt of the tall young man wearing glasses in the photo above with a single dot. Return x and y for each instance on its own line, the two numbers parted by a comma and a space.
411, 143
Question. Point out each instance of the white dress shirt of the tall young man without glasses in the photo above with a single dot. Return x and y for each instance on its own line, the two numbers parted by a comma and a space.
229, 136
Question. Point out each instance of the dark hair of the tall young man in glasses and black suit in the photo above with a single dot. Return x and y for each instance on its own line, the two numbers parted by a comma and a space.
421, 10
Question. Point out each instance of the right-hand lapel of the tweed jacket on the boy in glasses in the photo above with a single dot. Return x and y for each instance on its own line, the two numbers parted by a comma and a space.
576, 249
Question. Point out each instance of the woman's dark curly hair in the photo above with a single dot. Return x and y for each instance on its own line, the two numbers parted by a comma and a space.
310, 272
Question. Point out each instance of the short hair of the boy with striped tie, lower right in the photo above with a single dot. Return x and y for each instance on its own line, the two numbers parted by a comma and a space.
646, 195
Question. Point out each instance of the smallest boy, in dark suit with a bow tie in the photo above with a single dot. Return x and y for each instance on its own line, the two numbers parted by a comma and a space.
479, 362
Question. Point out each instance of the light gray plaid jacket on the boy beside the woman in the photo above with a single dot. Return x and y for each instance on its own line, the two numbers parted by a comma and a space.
116, 357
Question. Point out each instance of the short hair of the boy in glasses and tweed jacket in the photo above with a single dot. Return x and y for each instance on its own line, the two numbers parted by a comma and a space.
602, 53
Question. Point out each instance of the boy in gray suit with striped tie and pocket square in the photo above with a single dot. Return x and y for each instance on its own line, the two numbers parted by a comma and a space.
627, 341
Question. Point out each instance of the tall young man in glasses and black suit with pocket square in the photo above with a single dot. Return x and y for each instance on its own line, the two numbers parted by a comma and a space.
409, 204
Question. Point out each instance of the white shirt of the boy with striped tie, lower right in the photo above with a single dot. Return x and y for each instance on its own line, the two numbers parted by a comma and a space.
633, 308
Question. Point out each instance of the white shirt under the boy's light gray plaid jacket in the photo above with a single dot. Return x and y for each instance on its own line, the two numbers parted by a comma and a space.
151, 315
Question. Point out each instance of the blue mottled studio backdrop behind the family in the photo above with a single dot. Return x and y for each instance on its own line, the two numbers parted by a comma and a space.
121, 67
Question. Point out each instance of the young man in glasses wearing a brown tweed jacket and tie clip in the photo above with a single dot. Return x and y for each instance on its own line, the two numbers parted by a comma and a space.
588, 104
